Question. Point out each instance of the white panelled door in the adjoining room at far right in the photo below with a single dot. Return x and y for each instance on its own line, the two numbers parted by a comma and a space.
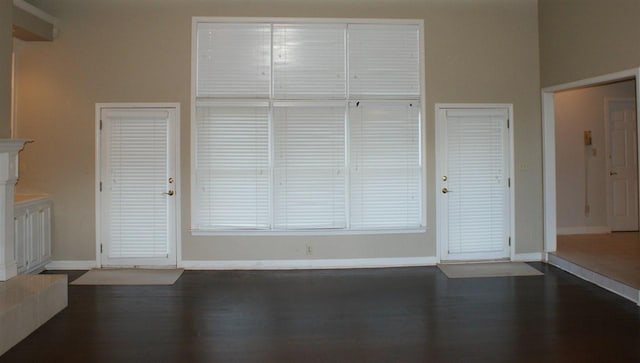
623, 166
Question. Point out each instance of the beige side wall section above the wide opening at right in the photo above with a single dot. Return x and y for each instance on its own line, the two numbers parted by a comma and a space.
580, 39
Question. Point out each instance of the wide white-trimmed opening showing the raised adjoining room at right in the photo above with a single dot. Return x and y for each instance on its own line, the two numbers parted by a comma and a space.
590, 138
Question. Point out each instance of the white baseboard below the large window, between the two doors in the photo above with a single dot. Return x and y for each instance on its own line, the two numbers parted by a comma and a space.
308, 264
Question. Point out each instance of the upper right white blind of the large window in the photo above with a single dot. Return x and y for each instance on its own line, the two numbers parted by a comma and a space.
384, 61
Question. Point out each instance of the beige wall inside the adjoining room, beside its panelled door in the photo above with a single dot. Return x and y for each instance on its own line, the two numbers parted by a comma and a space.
576, 111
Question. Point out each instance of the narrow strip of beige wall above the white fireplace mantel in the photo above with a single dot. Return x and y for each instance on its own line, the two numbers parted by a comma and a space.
6, 46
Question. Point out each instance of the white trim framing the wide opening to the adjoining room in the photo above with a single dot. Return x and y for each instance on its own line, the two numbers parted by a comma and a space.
549, 145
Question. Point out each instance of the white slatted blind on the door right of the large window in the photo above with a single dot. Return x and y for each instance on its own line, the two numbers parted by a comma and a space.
477, 207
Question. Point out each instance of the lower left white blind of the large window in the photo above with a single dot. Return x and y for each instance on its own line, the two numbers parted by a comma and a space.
232, 166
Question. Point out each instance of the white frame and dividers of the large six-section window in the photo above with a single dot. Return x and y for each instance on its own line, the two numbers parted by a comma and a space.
421, 98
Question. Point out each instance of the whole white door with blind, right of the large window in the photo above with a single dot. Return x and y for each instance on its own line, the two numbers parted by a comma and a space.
473, 183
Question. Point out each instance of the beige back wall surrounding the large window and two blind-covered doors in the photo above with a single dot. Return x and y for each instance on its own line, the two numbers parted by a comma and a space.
140, 51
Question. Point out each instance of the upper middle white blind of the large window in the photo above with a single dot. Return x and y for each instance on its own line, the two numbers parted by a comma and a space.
309, 61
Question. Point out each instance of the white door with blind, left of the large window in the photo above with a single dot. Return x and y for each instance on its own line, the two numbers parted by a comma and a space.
138, 186
